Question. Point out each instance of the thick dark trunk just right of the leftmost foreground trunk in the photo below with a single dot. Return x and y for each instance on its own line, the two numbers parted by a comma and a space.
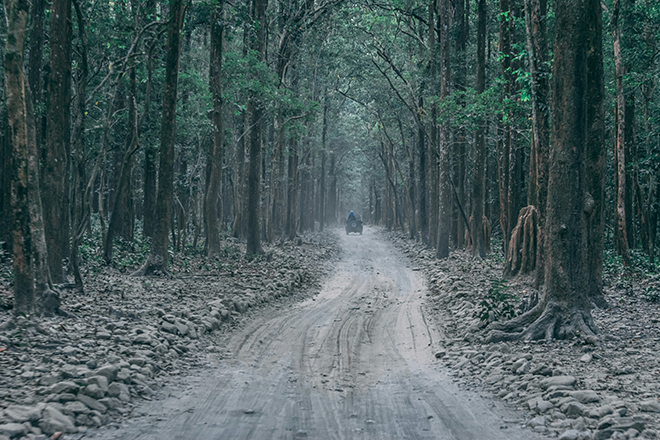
55, 171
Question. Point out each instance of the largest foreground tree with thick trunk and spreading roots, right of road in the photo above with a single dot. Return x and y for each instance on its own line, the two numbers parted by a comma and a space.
564, 310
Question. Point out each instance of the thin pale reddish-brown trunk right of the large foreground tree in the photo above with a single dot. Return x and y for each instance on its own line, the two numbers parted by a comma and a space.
619, 149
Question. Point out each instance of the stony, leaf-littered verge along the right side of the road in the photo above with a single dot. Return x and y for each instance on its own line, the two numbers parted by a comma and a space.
586, 390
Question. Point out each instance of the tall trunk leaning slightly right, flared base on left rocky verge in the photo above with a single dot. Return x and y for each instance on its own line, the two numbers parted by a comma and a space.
157, 260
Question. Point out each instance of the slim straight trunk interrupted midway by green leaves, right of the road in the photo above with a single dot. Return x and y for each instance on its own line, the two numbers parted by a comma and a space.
478, 179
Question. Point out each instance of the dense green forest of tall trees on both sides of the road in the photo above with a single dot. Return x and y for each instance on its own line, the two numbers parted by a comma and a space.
528, 126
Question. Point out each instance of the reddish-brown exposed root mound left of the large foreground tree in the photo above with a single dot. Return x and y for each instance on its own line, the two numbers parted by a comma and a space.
521, 252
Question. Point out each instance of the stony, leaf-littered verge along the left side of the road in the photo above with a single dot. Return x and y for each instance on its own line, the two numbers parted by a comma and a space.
126, 337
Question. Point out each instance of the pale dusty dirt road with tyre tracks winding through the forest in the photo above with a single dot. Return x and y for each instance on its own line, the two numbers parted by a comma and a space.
354, 362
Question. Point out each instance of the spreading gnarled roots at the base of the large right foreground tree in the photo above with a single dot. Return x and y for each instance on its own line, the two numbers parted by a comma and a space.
555, 322
